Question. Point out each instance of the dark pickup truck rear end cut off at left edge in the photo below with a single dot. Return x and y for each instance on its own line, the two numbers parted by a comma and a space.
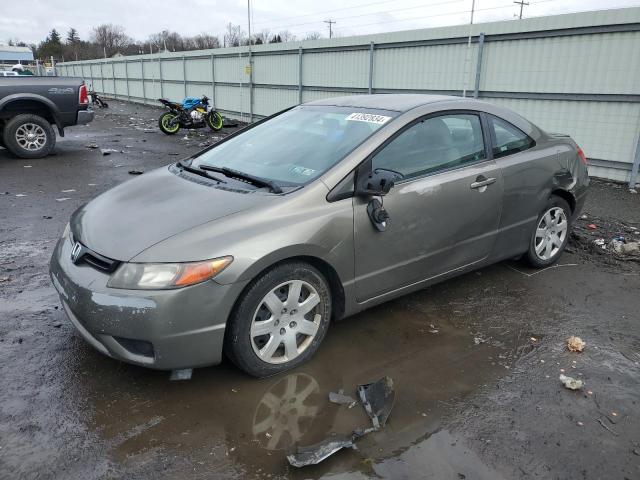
31, 106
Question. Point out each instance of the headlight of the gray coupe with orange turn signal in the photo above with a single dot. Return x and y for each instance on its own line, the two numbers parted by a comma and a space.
159, 276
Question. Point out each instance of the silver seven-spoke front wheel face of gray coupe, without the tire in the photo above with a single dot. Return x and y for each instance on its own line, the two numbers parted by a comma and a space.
286, 322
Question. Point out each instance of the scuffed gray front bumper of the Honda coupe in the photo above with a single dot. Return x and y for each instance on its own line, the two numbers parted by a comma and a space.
185, 326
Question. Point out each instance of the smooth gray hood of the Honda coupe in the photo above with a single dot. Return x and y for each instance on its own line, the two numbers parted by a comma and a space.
137, 214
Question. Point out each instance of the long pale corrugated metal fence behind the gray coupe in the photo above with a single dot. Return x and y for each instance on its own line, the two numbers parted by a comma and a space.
576, 73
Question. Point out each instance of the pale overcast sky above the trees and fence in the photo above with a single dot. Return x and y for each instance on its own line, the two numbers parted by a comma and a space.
31, 20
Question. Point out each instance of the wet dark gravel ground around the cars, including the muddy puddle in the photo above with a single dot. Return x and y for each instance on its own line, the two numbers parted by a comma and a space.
475, 360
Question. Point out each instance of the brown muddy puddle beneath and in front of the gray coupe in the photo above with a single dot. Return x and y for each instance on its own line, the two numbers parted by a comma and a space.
222, 421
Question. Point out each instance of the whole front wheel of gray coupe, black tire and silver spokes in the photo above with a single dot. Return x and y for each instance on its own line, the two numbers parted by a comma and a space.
265, 354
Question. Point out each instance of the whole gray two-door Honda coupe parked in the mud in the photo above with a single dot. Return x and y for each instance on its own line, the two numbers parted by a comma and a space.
253, 246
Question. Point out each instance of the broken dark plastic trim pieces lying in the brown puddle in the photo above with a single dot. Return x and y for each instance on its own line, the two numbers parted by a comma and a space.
377, 399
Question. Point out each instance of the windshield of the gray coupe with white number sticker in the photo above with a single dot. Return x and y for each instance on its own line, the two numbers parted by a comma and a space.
297, 146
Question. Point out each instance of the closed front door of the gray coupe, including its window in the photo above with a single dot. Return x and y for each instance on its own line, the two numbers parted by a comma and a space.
444, 212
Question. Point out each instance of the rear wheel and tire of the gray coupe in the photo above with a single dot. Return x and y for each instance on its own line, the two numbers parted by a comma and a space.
551, 234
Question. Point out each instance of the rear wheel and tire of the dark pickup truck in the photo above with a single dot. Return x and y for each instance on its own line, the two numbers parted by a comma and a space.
18, 140
